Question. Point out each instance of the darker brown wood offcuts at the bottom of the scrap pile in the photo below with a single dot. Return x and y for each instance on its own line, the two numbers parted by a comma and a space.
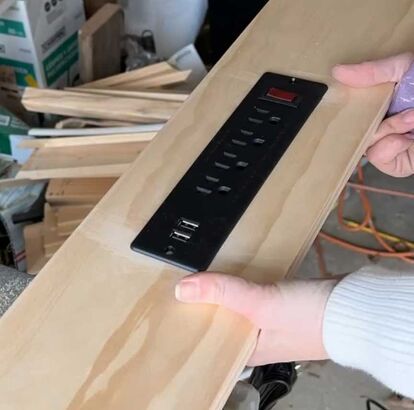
68, 202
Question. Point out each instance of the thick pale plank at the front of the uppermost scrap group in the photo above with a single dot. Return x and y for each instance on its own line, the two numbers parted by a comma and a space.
97, 106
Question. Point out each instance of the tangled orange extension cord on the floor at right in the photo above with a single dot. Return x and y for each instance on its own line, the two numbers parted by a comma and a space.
367, 225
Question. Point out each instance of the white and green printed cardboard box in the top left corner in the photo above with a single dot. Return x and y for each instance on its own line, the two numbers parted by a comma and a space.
39, 41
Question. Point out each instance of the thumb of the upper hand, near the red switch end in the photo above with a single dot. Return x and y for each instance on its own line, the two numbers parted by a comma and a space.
372, 73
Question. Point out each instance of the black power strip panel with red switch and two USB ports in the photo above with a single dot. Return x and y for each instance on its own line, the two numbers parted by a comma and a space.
198, 215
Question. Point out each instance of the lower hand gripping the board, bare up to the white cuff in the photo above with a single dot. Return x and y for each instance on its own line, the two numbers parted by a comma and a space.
289, 314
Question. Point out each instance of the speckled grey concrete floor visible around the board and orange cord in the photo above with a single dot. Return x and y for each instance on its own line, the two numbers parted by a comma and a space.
326, 386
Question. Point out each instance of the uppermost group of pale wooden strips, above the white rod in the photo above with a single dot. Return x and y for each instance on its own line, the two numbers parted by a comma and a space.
135, 96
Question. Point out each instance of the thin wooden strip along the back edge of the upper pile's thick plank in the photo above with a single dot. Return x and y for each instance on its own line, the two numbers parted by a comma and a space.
150, 95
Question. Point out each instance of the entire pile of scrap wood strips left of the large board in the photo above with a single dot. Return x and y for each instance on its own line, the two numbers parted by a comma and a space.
82, 168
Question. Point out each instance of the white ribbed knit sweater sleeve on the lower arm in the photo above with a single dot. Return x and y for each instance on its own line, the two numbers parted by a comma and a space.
369, 325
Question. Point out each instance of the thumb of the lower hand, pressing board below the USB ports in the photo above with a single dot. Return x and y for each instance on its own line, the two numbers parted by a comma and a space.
236, 294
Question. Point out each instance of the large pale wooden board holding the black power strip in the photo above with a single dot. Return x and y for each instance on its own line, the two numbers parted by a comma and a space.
104, 328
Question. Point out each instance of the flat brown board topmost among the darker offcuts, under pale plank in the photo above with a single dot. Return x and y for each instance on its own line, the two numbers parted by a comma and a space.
77, 190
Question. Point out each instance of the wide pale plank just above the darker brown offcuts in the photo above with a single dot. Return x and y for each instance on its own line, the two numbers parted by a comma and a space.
102, 160
